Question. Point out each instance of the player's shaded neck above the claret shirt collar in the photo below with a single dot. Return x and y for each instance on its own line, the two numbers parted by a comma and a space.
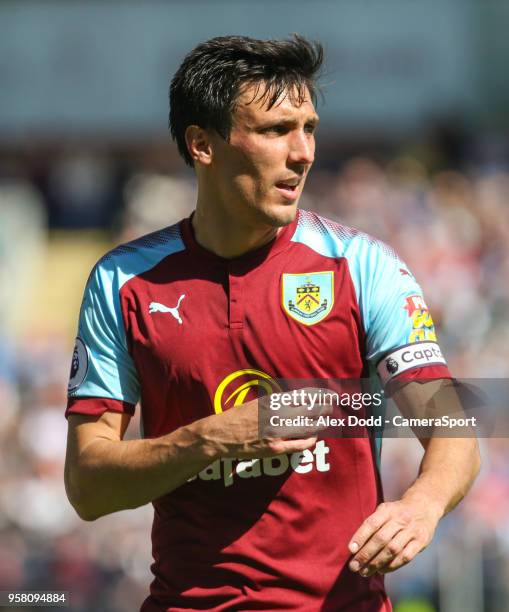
218, 232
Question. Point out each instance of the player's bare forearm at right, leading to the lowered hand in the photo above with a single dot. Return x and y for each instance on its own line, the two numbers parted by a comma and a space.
447, 471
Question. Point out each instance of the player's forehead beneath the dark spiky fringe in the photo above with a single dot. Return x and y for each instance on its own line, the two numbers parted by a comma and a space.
253, 102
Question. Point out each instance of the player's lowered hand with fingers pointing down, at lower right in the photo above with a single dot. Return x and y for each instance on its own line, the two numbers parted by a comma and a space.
392, 536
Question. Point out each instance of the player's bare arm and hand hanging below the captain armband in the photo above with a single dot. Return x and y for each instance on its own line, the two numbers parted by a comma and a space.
397, 531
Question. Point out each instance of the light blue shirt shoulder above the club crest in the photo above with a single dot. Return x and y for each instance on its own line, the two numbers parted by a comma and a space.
332, 239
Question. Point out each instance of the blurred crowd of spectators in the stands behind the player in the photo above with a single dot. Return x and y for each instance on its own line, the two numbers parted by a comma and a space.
451, 227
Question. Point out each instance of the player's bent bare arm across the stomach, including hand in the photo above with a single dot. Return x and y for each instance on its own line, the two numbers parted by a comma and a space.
104, 473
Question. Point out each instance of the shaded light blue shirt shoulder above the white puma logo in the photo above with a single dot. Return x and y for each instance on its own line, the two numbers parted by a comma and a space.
130, 259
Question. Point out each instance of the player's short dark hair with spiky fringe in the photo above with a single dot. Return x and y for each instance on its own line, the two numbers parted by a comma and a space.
207, 84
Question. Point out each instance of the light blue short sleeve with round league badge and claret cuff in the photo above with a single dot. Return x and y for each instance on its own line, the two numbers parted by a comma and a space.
103, 375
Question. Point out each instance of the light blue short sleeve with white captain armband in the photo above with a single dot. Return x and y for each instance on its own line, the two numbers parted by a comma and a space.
400, 334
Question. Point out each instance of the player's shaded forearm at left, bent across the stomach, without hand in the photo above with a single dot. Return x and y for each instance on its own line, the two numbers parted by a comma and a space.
111, 475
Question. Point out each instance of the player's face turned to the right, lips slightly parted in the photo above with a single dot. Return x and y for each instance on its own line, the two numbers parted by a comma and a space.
260, 173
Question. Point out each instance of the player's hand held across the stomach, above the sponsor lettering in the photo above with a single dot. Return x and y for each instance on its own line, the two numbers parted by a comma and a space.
236, 432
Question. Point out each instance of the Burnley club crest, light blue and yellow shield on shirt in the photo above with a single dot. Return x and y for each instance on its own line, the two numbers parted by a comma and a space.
308, 298
